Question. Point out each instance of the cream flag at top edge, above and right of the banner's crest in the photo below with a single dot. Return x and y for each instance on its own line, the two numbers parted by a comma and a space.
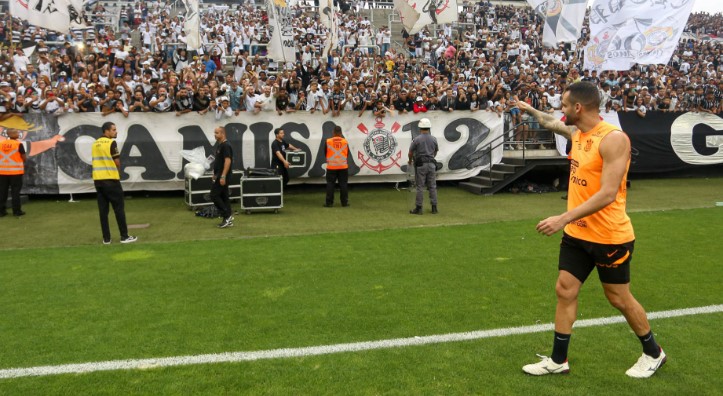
416, 14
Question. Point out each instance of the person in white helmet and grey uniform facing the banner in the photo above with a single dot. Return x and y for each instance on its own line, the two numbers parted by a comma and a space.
421, 153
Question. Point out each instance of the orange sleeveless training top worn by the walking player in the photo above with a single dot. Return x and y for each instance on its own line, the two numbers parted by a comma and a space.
610, 225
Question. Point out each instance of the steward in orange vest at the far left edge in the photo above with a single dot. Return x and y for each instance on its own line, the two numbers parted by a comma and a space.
12, 169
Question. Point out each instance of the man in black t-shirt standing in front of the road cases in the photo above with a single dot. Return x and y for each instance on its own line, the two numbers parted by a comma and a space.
221, 175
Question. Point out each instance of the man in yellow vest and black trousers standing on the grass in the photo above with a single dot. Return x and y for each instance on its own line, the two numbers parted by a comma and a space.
106, 177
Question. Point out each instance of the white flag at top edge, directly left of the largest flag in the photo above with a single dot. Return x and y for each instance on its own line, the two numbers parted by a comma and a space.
563, 21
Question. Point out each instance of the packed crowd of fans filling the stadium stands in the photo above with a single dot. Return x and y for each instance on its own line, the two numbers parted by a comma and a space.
489, 61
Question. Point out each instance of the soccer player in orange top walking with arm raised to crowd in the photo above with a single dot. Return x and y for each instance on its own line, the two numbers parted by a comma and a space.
597, 231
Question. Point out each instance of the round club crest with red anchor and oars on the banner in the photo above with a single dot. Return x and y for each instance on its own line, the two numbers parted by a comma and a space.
380, 147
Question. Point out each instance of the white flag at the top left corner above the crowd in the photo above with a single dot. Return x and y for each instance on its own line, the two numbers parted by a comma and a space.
49, 14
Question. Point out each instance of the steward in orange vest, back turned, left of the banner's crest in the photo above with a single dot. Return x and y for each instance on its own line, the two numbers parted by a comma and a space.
337, 168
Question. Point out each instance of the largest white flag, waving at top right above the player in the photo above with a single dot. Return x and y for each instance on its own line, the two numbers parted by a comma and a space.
634, 32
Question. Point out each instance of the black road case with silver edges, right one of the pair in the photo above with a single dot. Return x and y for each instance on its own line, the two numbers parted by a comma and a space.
262, 193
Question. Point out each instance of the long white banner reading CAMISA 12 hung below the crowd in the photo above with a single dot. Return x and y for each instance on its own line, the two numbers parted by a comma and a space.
150, 145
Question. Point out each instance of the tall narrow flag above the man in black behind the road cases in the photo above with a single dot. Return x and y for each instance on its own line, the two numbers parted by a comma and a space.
281, 38
